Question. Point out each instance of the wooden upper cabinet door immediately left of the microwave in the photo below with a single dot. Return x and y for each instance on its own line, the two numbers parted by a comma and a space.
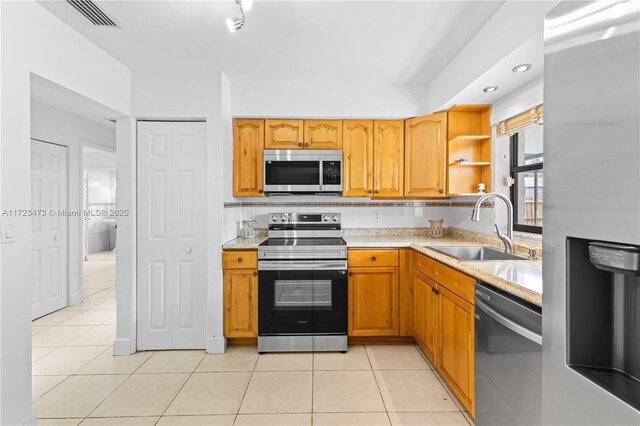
248, 145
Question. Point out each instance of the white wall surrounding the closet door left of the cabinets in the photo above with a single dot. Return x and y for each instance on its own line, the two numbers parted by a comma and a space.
187, 95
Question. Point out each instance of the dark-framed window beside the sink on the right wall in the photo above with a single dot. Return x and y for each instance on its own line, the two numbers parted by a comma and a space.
527, 179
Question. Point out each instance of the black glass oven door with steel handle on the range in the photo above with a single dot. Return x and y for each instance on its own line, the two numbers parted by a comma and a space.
302, 298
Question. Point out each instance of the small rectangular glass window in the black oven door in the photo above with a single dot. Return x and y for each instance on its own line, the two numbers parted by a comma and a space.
296, 294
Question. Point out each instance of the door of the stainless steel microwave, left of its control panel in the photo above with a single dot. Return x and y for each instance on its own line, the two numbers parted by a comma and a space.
292, 171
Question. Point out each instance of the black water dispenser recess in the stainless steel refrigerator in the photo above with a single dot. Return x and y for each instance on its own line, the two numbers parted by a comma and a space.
603, 315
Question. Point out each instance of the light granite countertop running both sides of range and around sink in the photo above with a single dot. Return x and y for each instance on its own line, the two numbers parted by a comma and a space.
522, 278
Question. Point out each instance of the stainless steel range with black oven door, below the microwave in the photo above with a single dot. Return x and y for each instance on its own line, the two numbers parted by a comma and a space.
302, 284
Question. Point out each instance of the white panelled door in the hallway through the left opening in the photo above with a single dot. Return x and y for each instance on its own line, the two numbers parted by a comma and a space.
48, 231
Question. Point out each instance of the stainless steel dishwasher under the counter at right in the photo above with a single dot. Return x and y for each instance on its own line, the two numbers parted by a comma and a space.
508, 359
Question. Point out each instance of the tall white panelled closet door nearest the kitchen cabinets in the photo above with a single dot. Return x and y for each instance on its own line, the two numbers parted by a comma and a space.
171, 235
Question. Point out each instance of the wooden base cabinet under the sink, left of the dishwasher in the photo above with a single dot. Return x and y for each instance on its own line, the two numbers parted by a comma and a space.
444, 324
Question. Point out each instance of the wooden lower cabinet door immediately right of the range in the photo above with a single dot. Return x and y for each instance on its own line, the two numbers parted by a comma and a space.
373, 301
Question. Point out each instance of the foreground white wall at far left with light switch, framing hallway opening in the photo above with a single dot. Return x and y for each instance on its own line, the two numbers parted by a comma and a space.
34, 41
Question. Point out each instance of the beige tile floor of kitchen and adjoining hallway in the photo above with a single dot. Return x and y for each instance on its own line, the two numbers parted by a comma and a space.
76, 380
